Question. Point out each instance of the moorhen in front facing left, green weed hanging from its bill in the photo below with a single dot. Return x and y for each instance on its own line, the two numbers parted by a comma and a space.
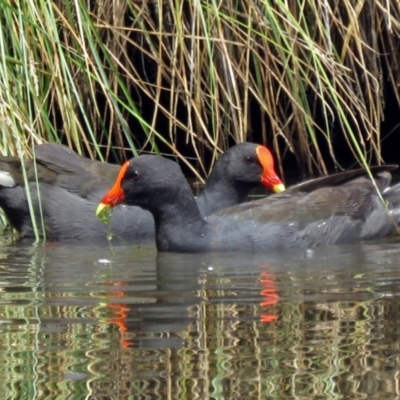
310, 215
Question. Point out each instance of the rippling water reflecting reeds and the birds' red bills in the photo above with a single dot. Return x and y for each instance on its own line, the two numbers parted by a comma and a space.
85, 322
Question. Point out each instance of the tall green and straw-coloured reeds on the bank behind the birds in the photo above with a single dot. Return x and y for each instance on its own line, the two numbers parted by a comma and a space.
313, 79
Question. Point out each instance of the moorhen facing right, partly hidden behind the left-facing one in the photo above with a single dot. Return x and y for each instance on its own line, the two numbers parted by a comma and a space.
71, 186
